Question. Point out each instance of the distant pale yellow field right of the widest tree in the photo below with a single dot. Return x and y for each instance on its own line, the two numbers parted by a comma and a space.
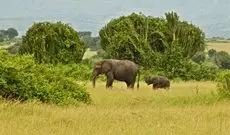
219, 46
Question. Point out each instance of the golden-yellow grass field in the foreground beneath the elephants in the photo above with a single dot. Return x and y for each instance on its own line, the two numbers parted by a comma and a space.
186, 109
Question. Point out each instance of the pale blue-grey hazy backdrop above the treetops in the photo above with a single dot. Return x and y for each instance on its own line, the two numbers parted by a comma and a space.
210, 15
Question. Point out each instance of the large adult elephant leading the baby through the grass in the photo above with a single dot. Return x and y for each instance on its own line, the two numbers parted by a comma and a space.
121, 70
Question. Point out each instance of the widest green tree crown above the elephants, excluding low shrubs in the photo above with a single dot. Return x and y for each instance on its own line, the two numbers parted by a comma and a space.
139, 38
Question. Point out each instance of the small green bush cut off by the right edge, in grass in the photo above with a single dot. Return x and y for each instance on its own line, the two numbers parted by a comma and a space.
223, 84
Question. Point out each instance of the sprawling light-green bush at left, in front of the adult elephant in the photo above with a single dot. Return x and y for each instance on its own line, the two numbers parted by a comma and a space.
22, 79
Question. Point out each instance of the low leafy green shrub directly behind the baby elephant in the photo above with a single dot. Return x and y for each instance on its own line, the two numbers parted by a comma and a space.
184, 68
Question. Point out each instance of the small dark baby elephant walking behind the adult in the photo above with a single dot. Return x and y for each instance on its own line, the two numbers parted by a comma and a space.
158, 82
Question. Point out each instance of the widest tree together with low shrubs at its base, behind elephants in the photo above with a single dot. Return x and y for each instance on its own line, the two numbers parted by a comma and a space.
165, 45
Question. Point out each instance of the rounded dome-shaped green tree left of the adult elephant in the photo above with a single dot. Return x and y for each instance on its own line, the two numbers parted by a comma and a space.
53, 43
